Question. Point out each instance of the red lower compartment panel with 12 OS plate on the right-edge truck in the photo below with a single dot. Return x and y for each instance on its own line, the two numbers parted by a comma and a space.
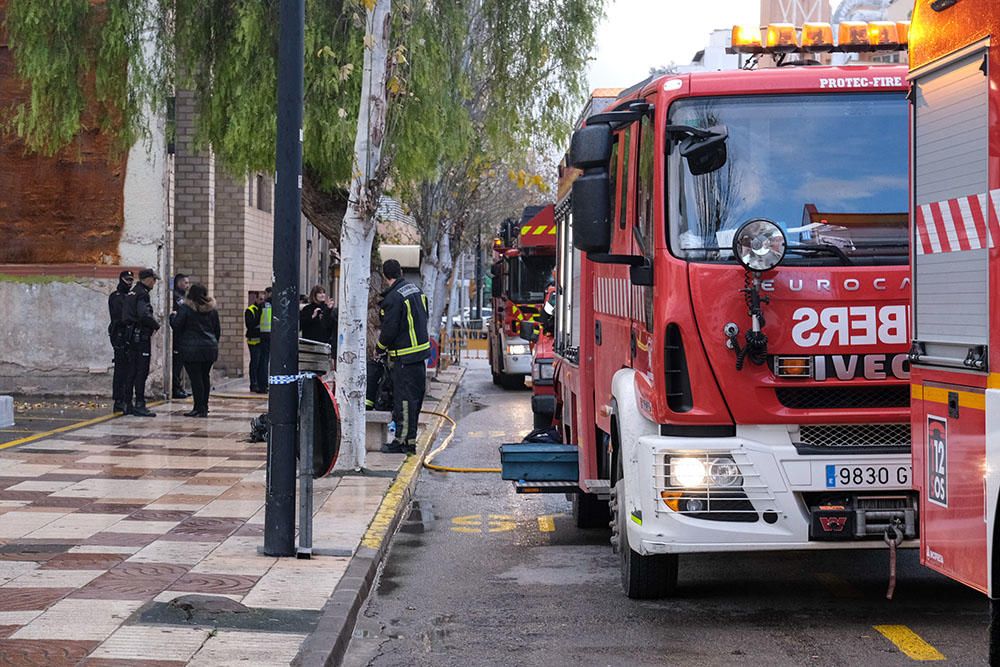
949, 465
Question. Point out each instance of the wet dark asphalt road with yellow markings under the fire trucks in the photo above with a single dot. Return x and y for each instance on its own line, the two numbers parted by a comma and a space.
475, 578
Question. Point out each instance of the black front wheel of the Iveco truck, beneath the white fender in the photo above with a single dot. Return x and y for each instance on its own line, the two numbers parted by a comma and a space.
643, 577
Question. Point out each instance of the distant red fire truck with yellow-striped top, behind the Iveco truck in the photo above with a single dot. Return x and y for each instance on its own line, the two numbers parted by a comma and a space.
523, 258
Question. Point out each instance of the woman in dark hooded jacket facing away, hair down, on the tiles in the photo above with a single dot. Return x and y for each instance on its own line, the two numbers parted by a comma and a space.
197, 331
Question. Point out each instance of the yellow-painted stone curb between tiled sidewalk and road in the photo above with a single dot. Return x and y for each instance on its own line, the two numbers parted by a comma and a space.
327, 644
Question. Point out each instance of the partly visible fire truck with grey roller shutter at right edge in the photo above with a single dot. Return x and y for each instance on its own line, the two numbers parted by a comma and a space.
955, 190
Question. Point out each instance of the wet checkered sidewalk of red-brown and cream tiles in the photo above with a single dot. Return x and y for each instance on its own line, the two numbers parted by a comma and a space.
107, 532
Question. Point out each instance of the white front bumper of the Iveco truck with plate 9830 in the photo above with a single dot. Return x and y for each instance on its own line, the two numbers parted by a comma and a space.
779, 484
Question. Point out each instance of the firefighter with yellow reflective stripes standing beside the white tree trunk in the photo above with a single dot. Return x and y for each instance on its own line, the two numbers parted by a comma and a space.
405, 341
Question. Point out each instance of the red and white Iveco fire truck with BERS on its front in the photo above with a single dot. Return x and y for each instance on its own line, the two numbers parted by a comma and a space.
731, 334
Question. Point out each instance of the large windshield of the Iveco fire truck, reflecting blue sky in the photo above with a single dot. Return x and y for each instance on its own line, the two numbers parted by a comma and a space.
831, 170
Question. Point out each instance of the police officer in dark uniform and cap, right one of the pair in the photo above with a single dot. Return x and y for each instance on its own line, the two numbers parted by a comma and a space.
141, 325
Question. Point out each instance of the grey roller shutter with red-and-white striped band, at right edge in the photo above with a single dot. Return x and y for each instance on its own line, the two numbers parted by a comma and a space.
951, 237
